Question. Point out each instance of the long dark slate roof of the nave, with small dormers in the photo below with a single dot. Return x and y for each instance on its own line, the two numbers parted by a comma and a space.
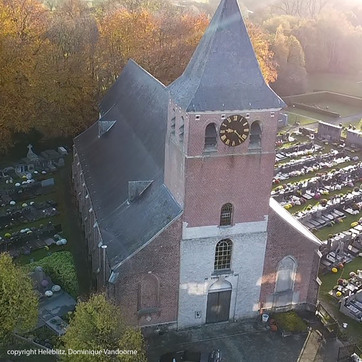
131, 149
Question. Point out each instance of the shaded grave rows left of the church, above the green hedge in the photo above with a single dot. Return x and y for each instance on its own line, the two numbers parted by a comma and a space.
29, 217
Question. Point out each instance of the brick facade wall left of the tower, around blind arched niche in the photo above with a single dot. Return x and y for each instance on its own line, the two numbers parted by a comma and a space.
161, 258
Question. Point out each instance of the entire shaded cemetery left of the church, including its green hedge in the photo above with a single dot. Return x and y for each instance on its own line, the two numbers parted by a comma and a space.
31, 224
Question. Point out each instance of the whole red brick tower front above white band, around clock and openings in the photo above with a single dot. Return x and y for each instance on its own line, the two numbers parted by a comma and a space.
229, 174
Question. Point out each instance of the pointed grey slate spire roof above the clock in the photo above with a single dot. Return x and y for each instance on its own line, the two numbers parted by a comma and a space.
224, 73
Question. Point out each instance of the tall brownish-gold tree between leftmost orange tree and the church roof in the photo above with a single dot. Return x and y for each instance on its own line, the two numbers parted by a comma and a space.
66, 85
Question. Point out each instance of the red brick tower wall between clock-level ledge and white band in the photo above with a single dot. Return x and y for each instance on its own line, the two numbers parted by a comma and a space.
244, 181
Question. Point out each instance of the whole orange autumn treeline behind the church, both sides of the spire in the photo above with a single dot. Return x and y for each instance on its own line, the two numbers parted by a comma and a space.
58, 58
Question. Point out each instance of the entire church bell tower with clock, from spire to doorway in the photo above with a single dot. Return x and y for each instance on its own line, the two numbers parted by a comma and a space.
222, 122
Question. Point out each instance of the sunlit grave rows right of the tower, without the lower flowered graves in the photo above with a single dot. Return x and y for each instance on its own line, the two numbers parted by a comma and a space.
323, 190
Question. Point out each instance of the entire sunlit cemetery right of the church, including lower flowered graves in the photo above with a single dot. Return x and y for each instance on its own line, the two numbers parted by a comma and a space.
318, 179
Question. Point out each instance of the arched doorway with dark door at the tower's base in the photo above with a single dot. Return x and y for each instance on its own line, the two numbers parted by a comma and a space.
218, 302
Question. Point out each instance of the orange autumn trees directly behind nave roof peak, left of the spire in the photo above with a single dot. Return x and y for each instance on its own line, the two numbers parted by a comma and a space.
160, 42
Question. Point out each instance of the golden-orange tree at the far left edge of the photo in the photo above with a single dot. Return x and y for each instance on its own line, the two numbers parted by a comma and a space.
23, 24
